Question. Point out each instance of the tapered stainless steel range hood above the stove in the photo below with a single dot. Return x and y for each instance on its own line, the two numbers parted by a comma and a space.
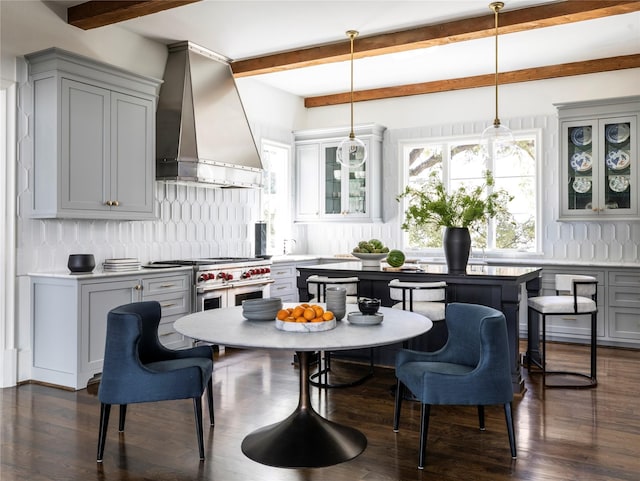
202, 131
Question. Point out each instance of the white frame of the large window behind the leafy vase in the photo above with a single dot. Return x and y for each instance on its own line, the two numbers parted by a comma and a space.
405, 143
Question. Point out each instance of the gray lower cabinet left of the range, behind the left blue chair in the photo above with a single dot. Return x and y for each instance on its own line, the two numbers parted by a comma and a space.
70, 318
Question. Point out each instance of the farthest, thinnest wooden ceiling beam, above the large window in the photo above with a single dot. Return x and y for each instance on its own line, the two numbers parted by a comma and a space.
525, 75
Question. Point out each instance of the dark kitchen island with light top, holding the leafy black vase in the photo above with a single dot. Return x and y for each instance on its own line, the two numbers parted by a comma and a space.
494, 286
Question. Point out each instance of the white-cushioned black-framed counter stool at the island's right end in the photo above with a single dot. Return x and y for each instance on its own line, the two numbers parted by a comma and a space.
575, 294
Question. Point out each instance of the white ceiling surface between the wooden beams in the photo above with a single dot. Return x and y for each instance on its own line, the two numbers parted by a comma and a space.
245, 29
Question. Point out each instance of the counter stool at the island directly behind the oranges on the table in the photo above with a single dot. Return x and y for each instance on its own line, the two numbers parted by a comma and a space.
317, 287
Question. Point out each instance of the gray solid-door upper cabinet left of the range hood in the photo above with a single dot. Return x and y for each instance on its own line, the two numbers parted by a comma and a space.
94, 139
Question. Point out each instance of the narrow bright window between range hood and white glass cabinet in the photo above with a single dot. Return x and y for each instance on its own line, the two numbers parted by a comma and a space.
276, 194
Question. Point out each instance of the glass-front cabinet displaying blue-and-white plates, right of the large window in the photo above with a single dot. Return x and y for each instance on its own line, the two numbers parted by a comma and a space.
599, 160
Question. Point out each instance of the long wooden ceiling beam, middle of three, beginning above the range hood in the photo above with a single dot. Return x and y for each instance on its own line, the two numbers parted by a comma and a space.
547, 15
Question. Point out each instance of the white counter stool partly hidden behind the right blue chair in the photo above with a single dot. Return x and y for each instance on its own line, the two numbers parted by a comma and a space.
426, 298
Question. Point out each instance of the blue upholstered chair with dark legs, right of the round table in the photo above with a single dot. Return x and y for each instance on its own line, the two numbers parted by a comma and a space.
472, 368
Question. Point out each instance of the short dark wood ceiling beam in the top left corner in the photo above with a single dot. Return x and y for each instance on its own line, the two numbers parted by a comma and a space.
97, 13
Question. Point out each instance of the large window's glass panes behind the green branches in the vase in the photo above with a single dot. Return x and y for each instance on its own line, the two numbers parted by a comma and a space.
459, 161
